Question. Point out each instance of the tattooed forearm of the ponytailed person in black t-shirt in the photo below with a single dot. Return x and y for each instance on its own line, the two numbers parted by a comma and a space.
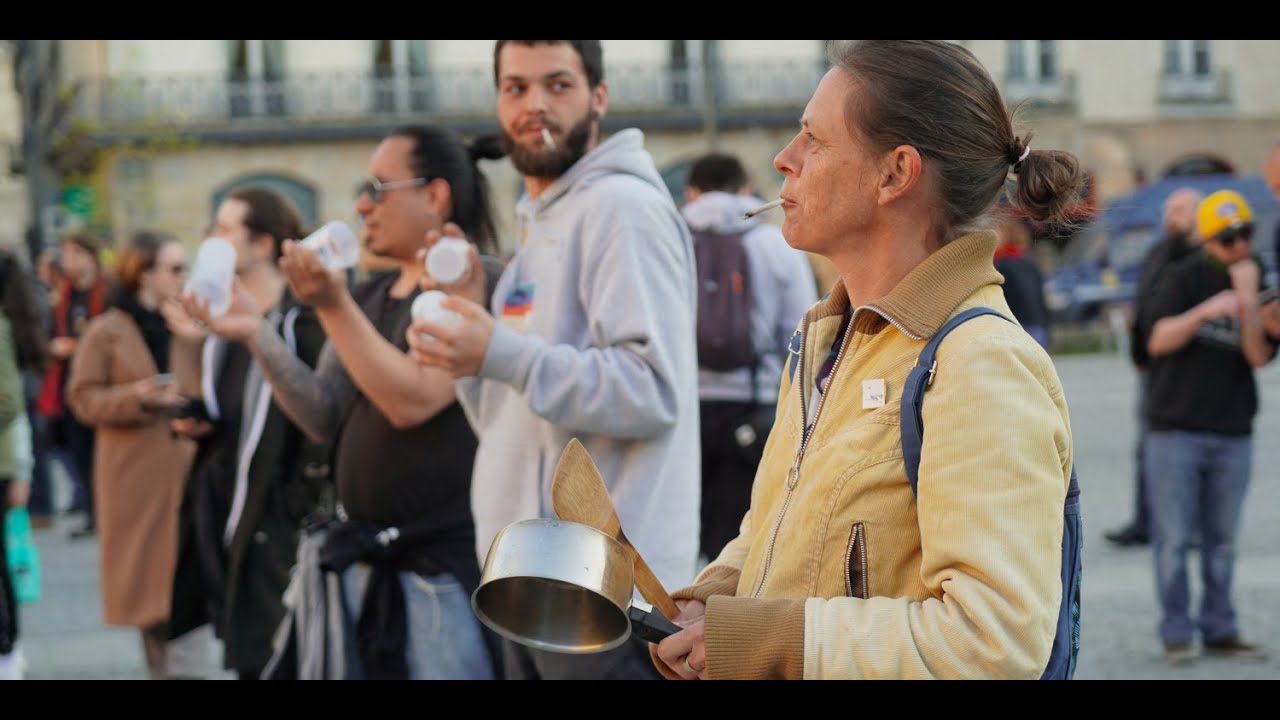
316, 400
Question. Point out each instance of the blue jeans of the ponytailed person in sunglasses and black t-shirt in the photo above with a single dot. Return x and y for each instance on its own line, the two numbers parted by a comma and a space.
445, 641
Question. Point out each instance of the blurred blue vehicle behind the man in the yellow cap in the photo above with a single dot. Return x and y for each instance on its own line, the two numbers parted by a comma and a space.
1100, 266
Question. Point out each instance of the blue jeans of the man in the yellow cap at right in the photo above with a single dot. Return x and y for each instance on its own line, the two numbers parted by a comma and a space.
1196, 482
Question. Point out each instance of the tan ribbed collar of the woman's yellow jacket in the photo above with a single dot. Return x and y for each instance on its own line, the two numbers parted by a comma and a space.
934, 291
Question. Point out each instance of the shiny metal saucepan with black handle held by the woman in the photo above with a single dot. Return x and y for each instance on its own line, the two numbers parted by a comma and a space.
565, 587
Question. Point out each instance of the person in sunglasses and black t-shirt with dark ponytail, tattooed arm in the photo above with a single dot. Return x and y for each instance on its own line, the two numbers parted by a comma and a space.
405, 449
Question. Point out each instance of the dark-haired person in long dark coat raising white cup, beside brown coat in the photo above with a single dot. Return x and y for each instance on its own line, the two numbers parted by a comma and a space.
258, 457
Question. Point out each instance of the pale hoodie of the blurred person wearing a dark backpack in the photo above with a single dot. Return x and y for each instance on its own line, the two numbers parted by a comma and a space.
783, 291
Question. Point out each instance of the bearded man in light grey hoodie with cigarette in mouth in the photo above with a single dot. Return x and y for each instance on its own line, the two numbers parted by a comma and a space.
591, 334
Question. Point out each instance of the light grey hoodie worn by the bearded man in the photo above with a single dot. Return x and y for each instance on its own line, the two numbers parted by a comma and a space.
596, 340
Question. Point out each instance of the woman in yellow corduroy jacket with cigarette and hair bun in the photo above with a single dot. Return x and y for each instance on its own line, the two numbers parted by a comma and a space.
840, 571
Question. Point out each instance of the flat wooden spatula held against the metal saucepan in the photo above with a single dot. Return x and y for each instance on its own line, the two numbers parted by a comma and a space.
579, 496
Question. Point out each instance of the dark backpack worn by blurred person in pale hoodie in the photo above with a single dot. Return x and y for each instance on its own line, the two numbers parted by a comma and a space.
724, 302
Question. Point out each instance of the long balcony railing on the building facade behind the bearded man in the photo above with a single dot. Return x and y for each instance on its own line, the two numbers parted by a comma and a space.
467, 93
